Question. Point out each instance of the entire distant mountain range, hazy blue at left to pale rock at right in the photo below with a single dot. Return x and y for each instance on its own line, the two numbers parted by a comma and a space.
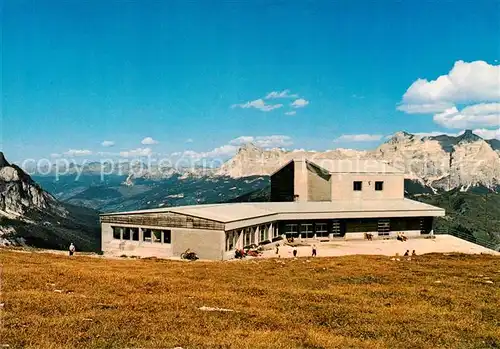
435, 162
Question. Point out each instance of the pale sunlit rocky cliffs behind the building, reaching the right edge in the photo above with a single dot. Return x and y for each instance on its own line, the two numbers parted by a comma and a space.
439, 162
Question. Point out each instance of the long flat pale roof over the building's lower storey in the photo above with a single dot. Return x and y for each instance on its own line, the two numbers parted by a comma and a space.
234, 212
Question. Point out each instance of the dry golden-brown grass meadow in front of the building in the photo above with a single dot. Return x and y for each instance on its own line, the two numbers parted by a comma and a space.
346, 302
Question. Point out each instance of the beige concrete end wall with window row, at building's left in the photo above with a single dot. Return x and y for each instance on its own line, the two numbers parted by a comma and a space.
208, 244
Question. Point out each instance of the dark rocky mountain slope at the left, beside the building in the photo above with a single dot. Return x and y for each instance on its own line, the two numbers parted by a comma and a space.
31, 216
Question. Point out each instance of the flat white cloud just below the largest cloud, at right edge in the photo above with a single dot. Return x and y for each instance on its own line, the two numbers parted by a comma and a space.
479, 115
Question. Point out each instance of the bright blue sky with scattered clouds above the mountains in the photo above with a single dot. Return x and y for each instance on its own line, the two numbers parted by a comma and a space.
77, 73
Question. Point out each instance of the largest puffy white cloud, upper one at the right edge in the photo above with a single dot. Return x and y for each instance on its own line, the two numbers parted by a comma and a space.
465, 83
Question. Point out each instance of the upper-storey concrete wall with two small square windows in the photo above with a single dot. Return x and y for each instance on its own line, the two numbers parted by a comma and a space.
342, 186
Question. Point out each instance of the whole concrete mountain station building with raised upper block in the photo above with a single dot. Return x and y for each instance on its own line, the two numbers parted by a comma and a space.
321, 200
